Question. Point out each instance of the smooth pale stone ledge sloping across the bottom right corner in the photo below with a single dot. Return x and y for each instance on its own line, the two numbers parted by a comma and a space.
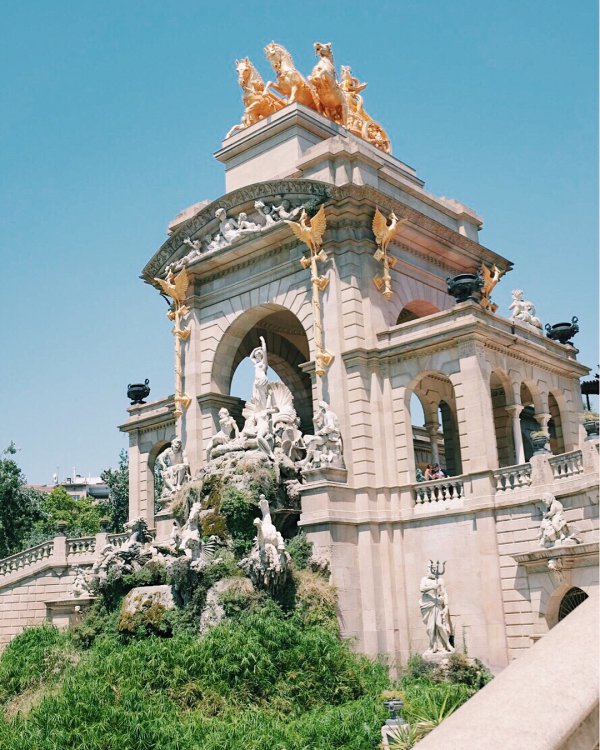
546, 700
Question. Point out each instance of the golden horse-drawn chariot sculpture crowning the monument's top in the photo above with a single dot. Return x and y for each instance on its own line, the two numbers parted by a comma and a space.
339, 100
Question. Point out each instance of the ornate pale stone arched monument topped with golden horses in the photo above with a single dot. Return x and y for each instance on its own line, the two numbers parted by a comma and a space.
352, 289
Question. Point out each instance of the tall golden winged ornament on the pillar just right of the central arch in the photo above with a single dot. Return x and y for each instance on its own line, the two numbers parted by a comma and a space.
310, 232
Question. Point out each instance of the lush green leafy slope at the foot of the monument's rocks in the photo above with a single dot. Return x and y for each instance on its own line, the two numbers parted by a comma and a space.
264, 681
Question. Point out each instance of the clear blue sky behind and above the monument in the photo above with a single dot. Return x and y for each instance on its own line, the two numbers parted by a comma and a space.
110, 113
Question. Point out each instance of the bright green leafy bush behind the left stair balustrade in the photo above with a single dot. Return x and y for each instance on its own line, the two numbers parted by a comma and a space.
82, 516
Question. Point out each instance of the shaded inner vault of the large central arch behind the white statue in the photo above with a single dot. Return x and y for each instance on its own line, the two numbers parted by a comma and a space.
287, 346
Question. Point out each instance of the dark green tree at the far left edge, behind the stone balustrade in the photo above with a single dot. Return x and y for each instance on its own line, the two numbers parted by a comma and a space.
19, 504
